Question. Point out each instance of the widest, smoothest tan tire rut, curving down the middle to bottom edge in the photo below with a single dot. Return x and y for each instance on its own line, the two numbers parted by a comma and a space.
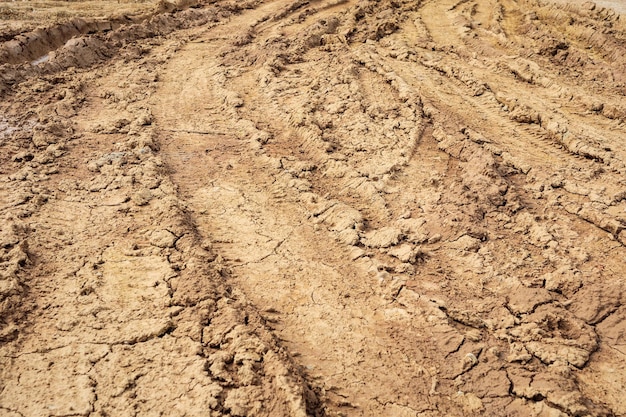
305, 290
